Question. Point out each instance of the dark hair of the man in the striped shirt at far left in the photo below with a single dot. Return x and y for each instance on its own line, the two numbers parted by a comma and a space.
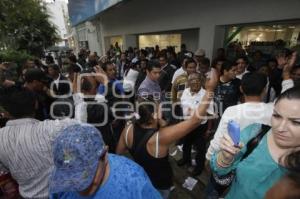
19, 102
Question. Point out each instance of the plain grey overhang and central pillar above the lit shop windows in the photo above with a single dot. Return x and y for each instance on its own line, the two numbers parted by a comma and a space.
144, 16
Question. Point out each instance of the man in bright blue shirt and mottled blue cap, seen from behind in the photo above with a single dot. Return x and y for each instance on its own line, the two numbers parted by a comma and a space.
84, 169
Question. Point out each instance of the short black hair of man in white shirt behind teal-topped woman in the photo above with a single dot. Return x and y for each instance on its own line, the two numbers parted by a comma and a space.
253, 84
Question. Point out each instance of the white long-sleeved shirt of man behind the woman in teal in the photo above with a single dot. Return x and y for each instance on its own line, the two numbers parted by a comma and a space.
244, 114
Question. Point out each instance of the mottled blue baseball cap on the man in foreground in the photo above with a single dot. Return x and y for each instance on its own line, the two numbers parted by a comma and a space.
76, 152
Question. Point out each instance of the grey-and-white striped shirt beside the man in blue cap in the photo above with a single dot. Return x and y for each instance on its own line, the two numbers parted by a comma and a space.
26, 152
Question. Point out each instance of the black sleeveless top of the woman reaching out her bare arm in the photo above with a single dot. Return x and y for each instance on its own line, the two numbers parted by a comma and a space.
158, 169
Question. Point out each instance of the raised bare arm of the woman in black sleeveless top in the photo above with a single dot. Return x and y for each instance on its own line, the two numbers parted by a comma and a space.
170, 134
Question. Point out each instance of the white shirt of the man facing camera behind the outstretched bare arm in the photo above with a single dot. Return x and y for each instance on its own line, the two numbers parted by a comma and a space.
189, 101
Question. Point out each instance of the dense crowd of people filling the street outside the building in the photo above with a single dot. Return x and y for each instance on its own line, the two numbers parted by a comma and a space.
65, 126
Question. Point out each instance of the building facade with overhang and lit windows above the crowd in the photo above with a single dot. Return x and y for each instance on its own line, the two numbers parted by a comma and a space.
197, 23
